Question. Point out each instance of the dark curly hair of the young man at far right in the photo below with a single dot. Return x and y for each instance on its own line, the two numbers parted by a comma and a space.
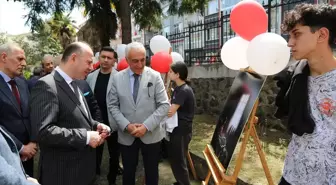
315, 16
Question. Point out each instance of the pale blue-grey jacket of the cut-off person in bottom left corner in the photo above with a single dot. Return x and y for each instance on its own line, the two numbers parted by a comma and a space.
11, 170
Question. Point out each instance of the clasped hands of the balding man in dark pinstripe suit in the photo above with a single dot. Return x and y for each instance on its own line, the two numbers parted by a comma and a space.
98, 137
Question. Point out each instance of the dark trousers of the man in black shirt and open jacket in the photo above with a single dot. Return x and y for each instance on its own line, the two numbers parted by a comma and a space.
114, 152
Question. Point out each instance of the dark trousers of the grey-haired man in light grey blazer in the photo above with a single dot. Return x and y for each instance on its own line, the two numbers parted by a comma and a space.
150, 155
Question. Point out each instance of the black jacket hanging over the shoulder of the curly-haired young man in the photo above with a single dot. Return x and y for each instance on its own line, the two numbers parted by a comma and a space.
292, 99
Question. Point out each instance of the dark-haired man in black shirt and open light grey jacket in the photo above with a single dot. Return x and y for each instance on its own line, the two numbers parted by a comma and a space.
100, 82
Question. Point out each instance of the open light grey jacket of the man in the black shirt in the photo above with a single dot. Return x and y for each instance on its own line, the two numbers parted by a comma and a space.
92, 79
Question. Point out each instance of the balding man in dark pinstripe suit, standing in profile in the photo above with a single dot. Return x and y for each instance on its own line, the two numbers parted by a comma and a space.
67, 134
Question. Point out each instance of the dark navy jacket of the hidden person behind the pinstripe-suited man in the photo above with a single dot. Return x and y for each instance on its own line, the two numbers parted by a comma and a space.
91, 100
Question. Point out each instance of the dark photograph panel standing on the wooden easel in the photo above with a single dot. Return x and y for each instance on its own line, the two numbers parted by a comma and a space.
236, 111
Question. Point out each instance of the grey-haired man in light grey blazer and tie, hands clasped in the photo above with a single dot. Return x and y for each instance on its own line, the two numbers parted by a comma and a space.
138, 102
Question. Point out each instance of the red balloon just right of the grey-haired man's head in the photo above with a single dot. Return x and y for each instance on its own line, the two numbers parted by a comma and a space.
161, 62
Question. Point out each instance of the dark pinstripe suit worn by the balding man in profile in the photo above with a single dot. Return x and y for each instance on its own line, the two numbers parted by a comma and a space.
65, 159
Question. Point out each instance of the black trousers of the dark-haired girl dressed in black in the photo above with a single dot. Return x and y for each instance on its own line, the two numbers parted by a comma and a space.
177, 154
